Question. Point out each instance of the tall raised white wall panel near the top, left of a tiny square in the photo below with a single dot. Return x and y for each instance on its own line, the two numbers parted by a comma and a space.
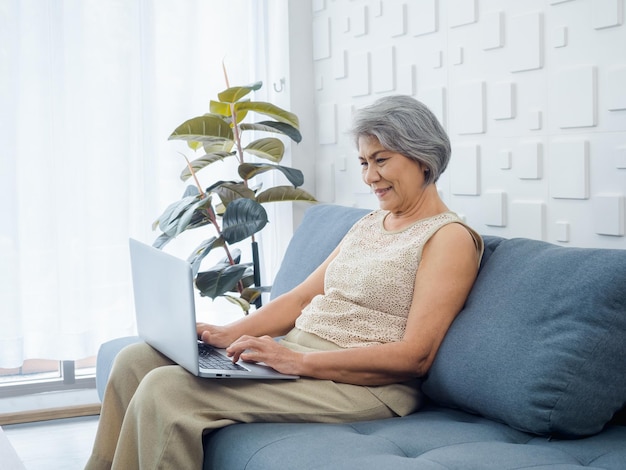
525, 36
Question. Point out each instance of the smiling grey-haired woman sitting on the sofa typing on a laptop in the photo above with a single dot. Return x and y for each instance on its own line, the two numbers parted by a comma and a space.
360, 330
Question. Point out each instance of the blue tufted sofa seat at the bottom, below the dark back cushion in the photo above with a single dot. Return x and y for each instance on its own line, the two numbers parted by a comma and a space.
435, 438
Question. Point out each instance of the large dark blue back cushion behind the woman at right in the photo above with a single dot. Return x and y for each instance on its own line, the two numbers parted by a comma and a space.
541, 342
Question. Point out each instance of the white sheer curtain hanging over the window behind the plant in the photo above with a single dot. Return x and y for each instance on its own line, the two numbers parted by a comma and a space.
89, 92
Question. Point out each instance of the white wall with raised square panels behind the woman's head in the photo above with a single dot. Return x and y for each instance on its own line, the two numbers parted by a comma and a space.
532, 93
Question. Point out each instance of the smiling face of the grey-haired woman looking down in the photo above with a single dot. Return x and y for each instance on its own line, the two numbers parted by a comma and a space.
396, 180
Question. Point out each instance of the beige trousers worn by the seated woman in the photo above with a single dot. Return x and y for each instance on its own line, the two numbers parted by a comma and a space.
154, 413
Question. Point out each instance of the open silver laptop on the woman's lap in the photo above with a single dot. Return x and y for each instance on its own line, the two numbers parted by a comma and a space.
166, 317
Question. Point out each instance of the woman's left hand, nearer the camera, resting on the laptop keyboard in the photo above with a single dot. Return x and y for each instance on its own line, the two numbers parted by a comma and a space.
265, 349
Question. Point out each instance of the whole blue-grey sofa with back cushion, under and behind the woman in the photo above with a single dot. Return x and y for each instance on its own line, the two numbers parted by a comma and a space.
532, 374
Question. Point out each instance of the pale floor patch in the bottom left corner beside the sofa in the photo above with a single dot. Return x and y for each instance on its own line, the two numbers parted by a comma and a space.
62, 444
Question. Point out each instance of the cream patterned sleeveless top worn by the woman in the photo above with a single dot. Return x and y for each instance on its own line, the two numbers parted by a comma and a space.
368, 287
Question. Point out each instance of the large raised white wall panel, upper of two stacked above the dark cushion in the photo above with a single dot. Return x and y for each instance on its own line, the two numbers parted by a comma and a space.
576, 91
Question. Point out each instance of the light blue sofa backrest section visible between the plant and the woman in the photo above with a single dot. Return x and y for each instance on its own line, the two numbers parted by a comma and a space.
322, 228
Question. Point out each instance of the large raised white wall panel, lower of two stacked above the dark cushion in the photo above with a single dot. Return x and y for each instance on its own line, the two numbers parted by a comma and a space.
569, 170
